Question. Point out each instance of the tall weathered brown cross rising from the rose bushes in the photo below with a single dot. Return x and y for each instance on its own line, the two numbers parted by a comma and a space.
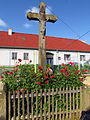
42, 18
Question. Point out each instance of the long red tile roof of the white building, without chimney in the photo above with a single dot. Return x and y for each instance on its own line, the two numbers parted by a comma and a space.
22, 40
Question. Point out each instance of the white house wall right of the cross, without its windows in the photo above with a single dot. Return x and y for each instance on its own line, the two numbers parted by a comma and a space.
74, 57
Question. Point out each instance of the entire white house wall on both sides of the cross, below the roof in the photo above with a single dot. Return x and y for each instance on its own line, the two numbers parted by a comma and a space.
58, 56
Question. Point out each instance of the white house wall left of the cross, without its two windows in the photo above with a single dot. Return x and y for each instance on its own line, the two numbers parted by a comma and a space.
6, 56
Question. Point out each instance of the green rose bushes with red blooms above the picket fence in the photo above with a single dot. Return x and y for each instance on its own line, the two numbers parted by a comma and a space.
23, 77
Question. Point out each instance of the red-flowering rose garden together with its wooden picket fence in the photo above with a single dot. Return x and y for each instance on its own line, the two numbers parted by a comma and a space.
53, 93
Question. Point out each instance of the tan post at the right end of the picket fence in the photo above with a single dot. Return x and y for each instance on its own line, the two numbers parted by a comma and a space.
86, 97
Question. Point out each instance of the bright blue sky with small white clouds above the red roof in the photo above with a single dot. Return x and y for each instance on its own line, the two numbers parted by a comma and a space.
73, 18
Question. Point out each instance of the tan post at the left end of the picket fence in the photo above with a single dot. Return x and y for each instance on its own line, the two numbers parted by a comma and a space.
2, 102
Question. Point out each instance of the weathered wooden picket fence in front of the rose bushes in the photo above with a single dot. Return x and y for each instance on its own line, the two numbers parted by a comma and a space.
51, 104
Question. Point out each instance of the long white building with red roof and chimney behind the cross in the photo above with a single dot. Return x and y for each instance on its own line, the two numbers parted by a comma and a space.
25, 46
